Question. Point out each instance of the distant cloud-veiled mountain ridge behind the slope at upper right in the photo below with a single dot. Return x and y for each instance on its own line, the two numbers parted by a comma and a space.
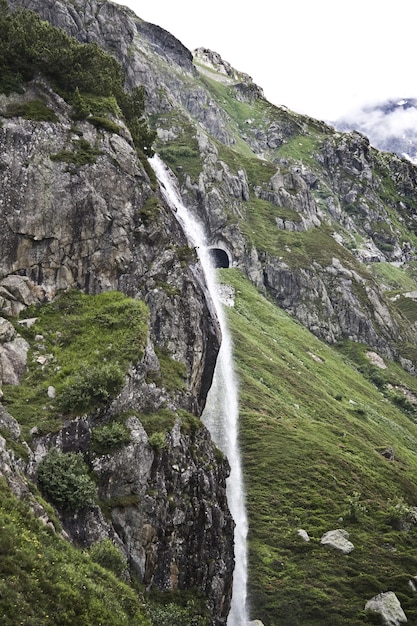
391, 125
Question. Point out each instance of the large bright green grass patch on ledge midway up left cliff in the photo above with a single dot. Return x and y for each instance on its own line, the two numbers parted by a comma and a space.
82, 346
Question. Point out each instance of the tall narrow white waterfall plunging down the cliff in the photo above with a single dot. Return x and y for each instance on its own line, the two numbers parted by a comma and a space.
221, 413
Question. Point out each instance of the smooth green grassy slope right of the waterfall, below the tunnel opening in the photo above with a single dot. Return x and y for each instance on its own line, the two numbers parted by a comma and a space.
312, 429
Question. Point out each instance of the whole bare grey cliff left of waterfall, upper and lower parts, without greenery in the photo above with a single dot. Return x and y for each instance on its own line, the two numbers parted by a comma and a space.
79, 211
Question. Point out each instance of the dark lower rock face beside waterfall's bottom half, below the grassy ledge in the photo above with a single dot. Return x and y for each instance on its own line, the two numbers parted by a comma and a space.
167, 507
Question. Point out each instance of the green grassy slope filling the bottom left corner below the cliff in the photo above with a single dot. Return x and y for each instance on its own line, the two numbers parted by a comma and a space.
45, 580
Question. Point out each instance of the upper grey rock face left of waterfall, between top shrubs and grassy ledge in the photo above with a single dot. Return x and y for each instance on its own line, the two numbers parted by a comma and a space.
85, 227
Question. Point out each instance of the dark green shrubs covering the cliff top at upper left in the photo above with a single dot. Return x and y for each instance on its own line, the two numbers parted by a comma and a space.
86, 76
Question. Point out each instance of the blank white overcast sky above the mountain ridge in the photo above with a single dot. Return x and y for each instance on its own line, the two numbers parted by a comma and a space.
318, 57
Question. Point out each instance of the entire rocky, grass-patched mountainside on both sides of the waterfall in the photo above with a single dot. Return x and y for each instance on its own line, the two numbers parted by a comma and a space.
109, 340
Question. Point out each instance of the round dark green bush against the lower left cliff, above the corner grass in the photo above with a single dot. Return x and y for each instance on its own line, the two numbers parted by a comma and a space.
65, 481
